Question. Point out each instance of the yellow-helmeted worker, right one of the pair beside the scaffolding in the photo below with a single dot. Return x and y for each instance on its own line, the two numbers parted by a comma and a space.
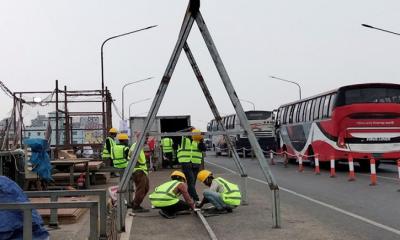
119, 153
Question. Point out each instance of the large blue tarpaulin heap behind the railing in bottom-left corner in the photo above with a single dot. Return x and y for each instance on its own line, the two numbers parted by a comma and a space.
11, 221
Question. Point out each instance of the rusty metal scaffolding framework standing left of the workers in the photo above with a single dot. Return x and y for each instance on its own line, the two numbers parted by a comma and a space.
59, 102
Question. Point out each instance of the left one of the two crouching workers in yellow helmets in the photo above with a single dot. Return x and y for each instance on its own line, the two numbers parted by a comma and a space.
166, 196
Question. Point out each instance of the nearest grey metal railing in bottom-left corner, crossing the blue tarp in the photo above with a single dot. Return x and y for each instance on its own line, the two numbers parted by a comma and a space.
27, 214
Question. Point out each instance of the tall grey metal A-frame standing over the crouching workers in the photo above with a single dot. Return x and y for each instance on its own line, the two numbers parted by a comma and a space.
193, 14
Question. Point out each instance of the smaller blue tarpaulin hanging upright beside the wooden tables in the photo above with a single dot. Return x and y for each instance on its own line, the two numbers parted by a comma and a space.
40, 158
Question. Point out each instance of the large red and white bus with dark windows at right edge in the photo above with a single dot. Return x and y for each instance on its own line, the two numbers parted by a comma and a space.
362, 120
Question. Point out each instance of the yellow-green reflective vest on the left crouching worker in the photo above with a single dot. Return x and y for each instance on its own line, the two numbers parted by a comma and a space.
164, 195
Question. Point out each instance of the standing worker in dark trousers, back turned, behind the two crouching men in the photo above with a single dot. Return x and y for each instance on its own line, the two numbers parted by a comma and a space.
190, 158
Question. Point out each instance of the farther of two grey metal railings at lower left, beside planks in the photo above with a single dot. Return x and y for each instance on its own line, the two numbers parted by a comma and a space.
54, 195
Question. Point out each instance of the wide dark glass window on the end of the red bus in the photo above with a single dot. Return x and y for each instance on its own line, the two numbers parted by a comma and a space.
368, 95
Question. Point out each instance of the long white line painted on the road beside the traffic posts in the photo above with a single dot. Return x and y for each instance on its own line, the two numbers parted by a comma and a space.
363, 219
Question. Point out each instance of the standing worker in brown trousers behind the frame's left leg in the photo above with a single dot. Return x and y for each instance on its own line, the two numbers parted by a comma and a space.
140, 179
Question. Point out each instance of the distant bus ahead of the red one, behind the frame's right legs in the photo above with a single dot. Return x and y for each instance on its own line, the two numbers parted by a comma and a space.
261, 122
